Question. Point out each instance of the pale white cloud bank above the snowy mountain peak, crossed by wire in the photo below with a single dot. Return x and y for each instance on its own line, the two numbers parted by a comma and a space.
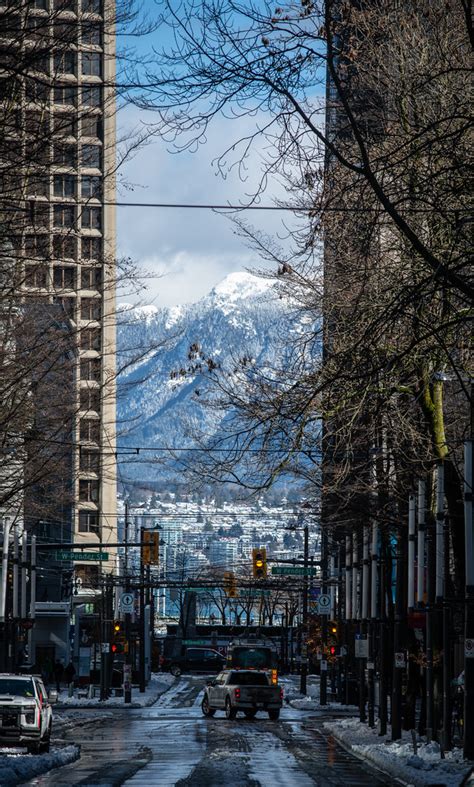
191, 249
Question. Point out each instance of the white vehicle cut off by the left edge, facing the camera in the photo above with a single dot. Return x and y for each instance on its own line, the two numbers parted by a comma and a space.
26, 716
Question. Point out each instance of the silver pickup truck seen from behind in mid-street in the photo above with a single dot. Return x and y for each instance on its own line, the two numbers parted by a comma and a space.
247, 691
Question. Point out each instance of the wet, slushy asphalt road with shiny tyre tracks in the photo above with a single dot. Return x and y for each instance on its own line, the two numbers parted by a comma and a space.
171, 743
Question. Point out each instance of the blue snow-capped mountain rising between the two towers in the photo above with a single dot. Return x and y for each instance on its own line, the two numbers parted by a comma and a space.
165, 354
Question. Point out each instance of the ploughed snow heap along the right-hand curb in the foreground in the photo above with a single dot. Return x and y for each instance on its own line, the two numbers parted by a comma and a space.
398, 758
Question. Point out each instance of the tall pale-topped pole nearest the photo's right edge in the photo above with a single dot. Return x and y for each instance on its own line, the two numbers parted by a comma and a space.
469, 604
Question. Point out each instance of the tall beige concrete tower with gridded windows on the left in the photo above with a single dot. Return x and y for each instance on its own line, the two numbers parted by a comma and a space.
57, 169
